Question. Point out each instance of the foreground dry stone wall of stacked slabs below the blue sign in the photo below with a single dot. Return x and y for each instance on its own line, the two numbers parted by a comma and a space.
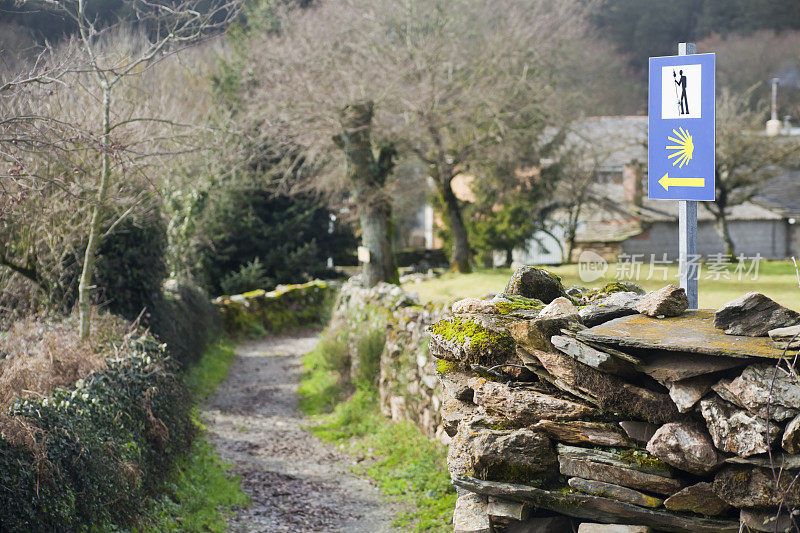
570, 407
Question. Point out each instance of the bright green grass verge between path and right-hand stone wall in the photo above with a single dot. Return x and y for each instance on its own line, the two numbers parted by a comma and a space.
406, 465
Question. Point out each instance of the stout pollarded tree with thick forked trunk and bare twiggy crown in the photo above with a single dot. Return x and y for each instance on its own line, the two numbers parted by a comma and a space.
314, 91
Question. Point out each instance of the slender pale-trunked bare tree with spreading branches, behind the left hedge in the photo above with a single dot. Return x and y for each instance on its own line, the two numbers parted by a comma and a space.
88, 142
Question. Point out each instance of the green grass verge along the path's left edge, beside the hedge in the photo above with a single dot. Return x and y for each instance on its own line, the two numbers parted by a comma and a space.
200, 492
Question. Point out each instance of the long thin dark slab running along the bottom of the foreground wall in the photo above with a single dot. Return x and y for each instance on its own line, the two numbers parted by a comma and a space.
597, 508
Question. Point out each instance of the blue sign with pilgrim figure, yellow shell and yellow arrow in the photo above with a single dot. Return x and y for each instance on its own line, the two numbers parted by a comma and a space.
681, 128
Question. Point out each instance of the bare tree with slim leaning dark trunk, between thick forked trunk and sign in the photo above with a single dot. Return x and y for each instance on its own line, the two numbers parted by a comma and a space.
480, 80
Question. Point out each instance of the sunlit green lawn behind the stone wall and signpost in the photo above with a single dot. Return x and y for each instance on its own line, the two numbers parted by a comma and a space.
776, 279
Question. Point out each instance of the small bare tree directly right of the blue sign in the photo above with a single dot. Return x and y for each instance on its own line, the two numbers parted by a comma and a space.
745, 158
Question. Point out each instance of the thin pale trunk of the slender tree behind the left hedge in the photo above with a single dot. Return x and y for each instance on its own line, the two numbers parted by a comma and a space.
85, 285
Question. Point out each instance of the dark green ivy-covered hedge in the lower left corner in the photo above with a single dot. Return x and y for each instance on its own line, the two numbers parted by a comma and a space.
85, 457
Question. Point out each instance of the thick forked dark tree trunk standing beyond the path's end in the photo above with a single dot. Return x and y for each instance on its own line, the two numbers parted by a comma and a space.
368, 177
